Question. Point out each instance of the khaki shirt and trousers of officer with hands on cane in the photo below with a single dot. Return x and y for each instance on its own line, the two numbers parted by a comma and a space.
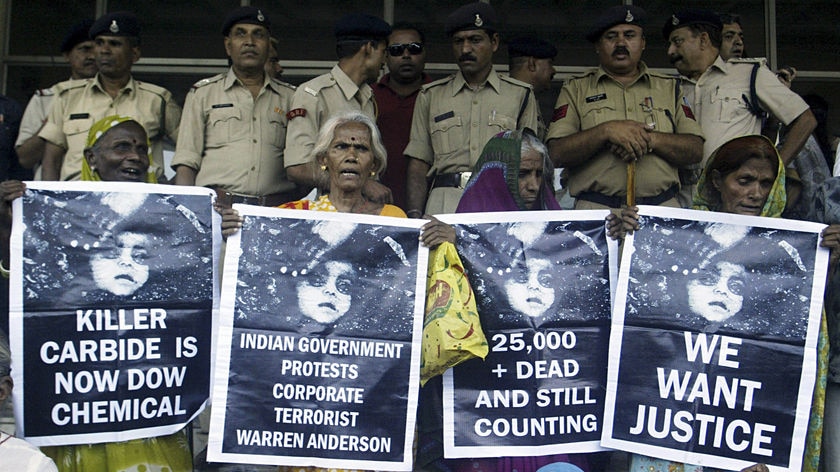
597, 98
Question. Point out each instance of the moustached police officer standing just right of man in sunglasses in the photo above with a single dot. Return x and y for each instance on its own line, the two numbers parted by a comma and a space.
455, 117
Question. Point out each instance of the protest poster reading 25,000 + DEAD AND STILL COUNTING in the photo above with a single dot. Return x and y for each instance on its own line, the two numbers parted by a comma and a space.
542, 285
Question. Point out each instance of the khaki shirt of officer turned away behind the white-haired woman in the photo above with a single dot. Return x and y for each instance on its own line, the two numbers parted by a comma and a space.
314, 103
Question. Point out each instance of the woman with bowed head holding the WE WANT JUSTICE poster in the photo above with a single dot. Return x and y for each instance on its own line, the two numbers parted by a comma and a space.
746, 176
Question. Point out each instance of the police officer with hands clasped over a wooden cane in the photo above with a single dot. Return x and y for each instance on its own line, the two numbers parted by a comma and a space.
622, 112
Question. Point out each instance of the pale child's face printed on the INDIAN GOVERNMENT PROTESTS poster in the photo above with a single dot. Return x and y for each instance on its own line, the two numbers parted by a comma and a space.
325, 294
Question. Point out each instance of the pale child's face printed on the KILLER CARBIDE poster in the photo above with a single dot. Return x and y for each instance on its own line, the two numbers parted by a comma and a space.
125, 269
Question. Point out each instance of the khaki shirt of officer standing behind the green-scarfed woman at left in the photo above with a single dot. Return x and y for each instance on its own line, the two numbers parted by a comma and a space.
78, 104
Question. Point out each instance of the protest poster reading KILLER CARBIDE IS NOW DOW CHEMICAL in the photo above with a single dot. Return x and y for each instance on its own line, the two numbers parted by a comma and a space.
111, 306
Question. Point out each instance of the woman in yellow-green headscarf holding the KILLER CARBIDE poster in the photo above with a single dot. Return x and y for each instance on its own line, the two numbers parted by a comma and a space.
117, 150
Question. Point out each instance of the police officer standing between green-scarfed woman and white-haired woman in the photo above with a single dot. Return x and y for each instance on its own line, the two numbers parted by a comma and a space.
233, 130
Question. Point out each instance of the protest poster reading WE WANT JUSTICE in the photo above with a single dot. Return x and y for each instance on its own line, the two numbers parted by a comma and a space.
713, 342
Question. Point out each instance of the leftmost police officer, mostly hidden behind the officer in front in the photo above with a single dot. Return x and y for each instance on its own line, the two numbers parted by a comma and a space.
77, 49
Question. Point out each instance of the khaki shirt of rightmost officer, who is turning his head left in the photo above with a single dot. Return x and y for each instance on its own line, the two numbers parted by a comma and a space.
720, 106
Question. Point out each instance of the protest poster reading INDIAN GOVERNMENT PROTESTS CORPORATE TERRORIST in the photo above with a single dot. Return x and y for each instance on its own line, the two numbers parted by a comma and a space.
319, 346
